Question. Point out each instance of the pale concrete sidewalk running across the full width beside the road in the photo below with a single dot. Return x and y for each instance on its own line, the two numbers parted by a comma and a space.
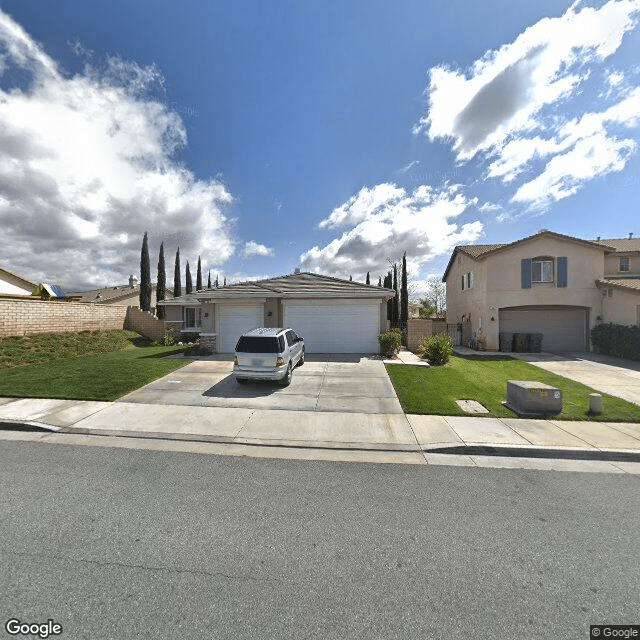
428, 435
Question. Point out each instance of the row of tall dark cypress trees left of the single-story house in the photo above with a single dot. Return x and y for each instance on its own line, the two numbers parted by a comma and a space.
161, 286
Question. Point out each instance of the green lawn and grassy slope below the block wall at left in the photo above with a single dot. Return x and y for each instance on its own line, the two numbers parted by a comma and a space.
55, 365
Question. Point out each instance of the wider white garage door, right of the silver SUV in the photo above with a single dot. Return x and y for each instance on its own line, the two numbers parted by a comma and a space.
336, 326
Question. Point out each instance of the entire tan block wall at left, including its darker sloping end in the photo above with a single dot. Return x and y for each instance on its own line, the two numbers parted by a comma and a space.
24, 317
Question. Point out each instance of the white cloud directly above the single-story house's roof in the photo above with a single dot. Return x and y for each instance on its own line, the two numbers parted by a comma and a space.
421, 223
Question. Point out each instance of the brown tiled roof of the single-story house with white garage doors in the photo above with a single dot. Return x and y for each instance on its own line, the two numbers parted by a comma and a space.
297, 285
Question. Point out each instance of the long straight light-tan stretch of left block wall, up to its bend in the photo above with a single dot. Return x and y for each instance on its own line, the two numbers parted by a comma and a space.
22, 317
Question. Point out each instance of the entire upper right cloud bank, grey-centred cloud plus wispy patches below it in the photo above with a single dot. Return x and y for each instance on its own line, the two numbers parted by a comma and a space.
506, 106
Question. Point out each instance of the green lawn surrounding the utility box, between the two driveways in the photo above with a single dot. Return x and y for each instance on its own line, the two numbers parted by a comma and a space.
434, 390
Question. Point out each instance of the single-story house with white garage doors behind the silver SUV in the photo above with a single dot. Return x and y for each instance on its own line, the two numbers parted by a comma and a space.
332, 315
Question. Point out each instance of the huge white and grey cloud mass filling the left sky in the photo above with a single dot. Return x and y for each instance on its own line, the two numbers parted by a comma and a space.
86, 168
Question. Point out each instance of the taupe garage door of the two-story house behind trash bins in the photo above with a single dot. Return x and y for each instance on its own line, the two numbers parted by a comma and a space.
562, 328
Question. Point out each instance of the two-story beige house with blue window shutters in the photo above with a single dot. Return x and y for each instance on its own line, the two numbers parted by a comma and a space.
550, 284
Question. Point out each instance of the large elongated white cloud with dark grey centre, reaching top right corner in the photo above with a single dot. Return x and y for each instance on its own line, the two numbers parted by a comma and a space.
505, 90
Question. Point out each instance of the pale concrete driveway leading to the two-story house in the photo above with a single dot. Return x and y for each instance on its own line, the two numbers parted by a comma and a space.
617, 377
